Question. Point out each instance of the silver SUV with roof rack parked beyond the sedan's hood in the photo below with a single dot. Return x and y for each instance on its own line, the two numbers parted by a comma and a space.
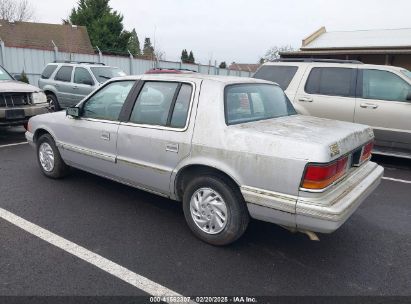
67, 83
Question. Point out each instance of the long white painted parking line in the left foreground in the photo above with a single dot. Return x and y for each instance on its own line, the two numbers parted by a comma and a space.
104, 264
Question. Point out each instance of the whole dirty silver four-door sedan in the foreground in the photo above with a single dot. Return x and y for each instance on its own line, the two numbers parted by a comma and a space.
227, 147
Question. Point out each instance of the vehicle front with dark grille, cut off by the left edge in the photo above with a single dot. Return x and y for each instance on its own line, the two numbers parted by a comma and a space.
19, 101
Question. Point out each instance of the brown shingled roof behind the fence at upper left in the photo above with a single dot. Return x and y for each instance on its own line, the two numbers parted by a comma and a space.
68, 38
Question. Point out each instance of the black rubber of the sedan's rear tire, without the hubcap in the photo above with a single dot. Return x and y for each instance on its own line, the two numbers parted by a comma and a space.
237, 212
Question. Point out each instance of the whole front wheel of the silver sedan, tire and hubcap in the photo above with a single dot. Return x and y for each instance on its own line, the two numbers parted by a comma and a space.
49, 158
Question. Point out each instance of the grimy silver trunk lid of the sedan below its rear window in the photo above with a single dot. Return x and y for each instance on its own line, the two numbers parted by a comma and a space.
317, 139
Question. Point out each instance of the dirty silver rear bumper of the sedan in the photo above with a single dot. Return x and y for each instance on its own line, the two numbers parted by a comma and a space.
322, 212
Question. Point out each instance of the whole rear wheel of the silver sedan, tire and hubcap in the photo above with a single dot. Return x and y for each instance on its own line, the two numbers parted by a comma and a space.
215, 210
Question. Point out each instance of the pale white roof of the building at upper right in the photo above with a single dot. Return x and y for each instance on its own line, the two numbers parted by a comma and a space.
364, 39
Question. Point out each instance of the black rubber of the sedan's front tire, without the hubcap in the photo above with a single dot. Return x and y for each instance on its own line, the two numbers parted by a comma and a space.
60, 169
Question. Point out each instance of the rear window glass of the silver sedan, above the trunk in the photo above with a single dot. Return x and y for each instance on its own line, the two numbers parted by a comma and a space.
252, 102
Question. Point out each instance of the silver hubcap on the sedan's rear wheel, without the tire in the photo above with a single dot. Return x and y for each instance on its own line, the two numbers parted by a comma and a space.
208, 210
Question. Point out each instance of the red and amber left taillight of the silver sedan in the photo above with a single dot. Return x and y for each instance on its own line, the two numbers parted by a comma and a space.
321, 176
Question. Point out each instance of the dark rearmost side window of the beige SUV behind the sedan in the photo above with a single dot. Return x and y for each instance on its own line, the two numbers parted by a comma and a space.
278, 74
